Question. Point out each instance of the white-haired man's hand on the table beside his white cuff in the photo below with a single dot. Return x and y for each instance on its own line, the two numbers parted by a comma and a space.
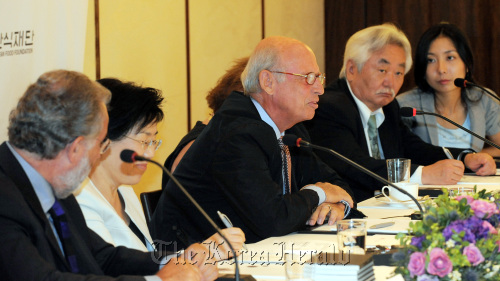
447, 171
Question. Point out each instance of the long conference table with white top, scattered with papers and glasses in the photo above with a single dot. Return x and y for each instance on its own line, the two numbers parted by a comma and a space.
264, 259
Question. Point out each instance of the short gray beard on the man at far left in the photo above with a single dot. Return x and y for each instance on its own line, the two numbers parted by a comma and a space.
71, 181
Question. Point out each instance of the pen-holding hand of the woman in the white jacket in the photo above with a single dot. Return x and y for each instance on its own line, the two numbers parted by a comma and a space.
219, 249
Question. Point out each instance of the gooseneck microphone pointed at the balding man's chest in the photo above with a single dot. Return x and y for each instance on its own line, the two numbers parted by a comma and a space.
293, 140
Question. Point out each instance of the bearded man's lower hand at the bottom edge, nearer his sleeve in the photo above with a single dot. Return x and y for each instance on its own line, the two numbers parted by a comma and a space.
177, 269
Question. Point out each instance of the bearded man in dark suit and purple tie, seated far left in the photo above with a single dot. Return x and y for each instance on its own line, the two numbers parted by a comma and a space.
56, 132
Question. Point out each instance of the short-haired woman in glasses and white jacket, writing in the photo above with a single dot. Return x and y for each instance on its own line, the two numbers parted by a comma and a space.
109, 204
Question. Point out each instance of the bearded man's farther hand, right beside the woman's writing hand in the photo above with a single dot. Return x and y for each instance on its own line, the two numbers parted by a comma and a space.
197, 255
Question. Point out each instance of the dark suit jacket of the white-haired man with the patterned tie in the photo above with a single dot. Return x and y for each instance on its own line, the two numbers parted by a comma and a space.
337, 125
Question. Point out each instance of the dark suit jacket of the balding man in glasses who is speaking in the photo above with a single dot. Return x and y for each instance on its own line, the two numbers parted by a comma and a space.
234, 166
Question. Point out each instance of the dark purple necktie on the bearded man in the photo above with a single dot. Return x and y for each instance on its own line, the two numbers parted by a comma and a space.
61, 225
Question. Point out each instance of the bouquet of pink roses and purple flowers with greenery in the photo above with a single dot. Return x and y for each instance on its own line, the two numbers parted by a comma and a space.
457, 239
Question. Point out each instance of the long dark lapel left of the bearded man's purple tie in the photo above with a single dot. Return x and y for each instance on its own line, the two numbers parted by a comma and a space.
12, 168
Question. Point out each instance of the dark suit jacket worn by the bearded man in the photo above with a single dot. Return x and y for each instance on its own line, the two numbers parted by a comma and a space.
29, 249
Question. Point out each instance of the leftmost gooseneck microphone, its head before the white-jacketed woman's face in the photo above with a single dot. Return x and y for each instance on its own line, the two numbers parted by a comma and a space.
130, 156
